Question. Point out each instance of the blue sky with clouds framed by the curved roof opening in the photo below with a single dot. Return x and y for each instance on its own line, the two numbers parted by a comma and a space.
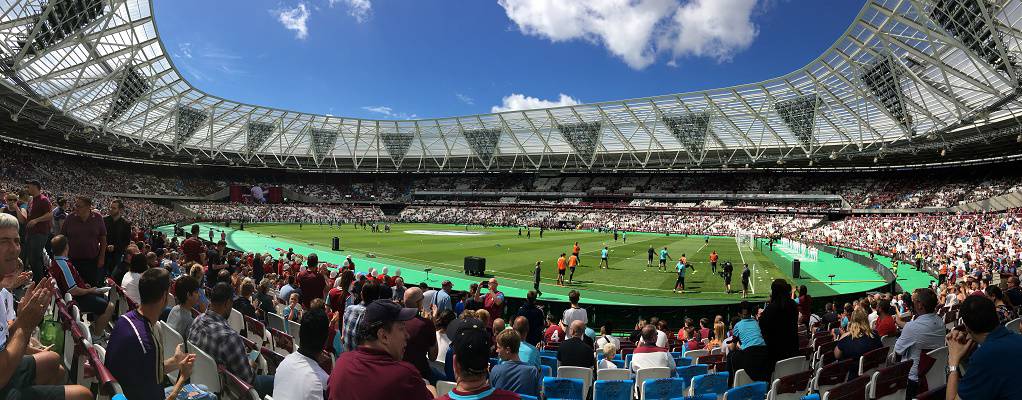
401, 60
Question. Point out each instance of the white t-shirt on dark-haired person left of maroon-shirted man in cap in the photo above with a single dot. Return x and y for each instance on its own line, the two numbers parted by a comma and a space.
299, 378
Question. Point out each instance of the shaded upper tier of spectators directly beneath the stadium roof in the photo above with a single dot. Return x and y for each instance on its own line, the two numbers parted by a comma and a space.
928, 189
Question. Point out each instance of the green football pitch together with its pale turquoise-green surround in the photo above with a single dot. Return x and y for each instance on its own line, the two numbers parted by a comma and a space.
510, 258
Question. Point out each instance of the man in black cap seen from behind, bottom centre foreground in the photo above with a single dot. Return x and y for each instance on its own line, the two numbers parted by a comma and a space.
471, 344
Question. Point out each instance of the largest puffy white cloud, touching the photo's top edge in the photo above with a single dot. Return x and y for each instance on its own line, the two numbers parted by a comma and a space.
639, 31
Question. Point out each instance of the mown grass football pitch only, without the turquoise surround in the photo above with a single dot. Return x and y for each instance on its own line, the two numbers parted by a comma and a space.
512, 259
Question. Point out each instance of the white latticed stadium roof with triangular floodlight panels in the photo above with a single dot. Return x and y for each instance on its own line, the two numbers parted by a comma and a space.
907, 76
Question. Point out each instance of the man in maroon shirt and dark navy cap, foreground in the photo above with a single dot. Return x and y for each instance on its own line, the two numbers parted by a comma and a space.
376, 370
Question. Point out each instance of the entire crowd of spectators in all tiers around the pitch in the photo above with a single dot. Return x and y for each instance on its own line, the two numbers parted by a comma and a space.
370, 335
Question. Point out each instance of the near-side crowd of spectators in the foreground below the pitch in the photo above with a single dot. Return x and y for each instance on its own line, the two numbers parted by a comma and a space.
368, 334
